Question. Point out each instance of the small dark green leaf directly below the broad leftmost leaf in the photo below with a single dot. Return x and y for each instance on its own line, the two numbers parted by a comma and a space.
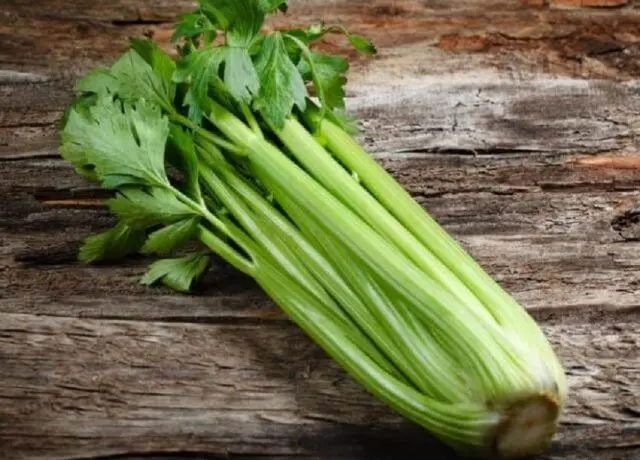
142, 210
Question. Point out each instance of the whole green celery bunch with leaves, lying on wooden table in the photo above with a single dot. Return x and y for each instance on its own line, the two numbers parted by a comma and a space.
225, 145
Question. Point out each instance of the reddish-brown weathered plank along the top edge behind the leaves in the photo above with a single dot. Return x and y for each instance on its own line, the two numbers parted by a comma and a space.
513, 36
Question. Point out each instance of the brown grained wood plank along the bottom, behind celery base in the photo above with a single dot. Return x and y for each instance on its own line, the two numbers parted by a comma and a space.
95, 388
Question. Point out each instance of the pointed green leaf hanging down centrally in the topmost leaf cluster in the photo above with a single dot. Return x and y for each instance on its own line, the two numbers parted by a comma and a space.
281, 86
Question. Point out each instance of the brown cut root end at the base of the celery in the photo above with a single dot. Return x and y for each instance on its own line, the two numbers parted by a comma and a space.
528, 427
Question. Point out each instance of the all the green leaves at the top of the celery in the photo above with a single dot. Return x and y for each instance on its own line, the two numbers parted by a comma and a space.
143, 116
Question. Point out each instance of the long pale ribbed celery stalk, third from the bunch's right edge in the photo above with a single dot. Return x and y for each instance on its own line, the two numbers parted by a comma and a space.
480, 344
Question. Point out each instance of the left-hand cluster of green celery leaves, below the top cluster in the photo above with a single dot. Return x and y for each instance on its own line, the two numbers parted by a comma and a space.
124, 145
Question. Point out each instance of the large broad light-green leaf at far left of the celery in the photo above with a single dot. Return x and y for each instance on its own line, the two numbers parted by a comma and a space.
128, 141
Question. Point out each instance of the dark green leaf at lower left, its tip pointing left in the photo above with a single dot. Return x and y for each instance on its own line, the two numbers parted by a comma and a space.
112, 244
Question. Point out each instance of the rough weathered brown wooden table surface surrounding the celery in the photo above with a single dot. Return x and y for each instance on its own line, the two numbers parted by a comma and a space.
516, 123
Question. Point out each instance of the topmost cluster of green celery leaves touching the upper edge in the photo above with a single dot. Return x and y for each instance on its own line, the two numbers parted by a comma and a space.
268, 73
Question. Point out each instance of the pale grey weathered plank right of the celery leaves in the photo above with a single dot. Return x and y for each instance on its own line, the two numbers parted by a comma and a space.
487, 112
